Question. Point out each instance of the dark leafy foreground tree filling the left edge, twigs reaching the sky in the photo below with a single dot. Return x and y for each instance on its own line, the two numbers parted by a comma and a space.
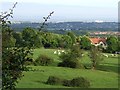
13, 58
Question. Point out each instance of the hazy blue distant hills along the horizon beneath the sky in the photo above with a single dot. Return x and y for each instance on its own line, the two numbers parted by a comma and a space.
81, 26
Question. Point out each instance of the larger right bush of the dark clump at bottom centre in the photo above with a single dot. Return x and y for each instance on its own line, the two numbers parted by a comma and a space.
80, 82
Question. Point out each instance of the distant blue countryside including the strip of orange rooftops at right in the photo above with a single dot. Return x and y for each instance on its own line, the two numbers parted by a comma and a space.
79, 28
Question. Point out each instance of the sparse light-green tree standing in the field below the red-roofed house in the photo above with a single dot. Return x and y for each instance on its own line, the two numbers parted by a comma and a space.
95, 56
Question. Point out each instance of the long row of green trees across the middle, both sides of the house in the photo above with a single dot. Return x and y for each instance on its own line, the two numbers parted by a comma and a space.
36, 39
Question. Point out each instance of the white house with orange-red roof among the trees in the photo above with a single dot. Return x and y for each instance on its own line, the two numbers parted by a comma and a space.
98, 42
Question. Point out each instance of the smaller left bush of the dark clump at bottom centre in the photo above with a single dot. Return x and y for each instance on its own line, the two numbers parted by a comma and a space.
52, 80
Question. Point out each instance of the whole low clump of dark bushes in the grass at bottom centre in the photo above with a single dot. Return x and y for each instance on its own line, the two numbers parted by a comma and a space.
75, 82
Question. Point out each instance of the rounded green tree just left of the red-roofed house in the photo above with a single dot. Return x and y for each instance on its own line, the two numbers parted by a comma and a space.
85, 43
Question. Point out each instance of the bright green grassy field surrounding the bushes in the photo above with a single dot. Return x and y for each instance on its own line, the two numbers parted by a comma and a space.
106, 76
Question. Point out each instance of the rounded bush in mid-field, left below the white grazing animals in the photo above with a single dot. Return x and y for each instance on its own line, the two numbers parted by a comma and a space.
43, 60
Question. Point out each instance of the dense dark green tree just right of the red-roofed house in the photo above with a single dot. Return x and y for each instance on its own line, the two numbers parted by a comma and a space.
112, 44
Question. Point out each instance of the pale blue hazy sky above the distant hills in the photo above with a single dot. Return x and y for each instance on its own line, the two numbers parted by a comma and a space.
64, 10
